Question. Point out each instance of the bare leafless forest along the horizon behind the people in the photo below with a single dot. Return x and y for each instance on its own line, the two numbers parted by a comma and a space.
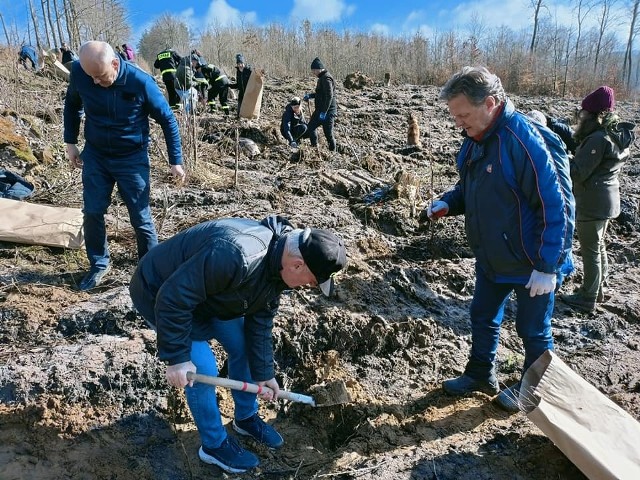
547, 58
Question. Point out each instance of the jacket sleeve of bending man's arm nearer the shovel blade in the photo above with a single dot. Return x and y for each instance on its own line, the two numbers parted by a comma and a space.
258, 337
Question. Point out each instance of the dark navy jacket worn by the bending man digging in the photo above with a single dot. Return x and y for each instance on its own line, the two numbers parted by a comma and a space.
221, 269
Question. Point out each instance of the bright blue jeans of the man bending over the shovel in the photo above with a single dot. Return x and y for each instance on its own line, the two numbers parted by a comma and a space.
201, 398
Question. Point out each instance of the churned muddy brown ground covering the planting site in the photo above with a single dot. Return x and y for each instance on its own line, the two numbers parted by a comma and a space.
82, 395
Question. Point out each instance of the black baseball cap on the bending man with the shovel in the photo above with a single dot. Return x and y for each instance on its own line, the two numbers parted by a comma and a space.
324, 253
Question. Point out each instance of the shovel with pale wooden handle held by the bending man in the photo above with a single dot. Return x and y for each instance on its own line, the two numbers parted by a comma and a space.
334, 393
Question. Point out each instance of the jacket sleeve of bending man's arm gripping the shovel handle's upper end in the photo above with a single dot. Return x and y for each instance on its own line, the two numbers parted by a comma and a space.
210, 271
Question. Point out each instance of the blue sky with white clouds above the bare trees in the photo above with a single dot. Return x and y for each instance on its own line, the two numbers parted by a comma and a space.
382, 16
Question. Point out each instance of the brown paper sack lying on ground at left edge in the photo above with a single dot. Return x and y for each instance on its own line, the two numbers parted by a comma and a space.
33, 224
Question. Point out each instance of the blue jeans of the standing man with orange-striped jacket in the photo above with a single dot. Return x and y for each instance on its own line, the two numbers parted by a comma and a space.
533, 323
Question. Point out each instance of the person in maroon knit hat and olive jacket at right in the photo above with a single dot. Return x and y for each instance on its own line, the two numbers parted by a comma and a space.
603, 147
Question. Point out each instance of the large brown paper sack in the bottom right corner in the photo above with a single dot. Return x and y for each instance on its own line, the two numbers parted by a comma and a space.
598, 436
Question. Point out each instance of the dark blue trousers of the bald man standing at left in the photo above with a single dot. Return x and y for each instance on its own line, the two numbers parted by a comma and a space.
98, 179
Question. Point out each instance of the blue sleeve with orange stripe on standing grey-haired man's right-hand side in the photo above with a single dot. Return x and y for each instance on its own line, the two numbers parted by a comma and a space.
539, 183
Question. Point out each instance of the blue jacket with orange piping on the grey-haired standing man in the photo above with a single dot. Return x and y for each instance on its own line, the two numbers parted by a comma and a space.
515, 192
